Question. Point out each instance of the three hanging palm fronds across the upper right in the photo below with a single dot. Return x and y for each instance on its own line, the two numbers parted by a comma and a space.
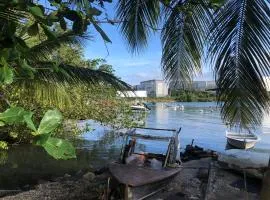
234, 35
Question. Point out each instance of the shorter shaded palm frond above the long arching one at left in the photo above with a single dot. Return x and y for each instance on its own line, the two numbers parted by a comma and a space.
45, 48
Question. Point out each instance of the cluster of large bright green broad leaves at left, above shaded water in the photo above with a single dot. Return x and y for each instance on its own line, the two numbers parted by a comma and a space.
57, 148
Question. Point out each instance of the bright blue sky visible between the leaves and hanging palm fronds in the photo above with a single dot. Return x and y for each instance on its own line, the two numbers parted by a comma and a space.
130, 68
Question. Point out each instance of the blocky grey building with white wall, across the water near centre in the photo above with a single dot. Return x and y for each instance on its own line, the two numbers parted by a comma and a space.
154, 88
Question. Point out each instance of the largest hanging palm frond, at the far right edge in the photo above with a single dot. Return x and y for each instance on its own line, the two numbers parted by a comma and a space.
239, 49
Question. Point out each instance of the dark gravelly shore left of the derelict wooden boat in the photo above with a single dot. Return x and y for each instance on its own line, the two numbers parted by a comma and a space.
81, 186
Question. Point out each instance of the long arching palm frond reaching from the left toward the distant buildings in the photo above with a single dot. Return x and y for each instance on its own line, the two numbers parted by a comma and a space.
68, 74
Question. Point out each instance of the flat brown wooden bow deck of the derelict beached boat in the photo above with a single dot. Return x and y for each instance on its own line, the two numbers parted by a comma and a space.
137, 176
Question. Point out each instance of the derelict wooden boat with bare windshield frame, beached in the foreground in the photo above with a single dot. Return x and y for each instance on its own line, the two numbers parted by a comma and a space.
140, 181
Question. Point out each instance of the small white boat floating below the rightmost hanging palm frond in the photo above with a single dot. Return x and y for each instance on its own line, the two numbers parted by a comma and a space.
241, 140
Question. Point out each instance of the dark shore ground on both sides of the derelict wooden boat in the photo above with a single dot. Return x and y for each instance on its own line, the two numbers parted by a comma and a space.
194, 182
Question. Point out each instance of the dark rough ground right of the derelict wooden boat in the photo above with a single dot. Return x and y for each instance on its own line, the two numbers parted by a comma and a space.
195, 184
